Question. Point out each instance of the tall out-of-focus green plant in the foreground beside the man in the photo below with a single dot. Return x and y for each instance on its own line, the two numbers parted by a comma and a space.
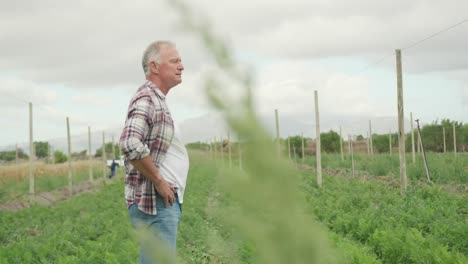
262, 203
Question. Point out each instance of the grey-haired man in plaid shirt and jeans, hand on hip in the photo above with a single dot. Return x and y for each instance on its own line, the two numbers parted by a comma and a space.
155, 159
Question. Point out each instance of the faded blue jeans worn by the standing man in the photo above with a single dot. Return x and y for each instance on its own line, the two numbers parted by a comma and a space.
159, 227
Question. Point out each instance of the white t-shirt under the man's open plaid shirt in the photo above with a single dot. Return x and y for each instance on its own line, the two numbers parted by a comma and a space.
174, 168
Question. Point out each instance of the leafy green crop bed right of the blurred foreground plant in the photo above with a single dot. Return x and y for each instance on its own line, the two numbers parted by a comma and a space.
428, 225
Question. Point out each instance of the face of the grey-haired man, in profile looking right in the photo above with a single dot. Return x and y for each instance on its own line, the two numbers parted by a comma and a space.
170, 69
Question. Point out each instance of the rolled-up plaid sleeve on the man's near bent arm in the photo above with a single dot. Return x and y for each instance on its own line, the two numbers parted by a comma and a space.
137, 126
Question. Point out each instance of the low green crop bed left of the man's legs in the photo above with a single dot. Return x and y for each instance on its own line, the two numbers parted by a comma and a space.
87, 229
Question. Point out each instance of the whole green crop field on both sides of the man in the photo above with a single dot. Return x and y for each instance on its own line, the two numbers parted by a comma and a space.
358, 220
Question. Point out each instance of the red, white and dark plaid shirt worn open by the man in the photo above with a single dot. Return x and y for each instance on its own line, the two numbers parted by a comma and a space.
148, 131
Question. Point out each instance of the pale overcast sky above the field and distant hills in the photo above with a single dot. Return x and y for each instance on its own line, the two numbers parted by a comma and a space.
82, 59
